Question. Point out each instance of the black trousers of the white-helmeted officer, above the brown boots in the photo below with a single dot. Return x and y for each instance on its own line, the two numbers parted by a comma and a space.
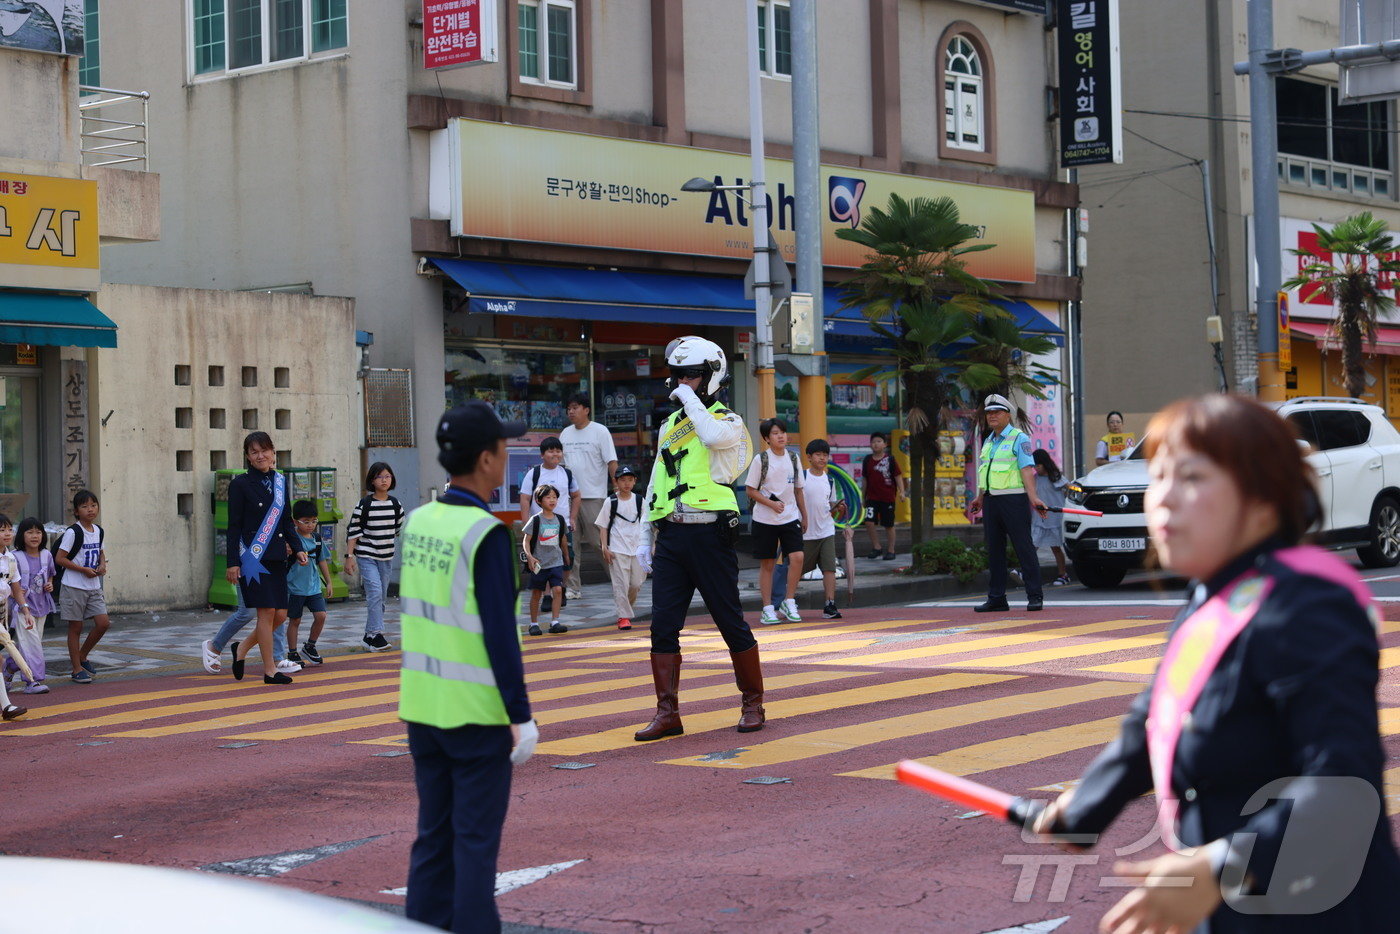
689, 559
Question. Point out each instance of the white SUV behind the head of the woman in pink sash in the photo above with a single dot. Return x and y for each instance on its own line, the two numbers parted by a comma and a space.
1353, 447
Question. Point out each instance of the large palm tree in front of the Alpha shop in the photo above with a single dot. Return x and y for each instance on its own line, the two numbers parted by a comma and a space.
916, 292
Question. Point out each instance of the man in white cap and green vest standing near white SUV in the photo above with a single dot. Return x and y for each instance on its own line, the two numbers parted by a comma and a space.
1006, 496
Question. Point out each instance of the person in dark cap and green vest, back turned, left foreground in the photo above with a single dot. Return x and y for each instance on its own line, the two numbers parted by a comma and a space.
463, 683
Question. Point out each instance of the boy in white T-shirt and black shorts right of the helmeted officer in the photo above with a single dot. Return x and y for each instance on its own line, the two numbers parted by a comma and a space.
775, 487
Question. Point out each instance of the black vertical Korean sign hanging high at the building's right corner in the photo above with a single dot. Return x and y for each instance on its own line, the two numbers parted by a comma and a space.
1091, 113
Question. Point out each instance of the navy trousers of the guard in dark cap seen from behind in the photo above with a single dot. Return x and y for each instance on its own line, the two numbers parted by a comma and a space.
464, 781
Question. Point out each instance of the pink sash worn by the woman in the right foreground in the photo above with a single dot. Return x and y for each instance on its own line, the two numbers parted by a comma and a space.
1198, 648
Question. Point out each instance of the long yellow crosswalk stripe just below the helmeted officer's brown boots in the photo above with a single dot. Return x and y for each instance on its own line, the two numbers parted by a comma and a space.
926, 722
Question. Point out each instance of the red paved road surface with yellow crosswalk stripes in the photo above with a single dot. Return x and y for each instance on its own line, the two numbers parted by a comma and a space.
666, 842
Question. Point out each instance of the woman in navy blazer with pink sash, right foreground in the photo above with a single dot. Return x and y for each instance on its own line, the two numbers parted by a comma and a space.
1261, 730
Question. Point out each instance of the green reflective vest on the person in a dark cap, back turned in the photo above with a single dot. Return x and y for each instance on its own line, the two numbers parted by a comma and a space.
446, 678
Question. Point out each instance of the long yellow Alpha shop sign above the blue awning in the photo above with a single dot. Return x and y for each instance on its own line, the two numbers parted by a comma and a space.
528, 184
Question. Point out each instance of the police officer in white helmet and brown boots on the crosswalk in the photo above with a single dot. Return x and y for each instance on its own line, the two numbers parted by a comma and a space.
695, 517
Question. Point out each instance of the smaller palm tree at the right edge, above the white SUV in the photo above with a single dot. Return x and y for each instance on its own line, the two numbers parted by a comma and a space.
1353, 265
